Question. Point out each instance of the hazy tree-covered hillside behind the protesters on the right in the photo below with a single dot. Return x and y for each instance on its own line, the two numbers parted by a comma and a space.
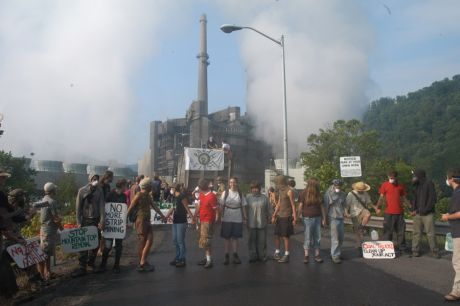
421, 128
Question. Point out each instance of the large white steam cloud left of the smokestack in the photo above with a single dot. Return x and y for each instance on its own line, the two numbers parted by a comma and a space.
67, 70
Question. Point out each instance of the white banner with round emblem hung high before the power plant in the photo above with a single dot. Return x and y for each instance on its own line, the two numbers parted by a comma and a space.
204, 159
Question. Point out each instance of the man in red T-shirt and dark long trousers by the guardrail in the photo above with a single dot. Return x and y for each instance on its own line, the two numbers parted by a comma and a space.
394, 194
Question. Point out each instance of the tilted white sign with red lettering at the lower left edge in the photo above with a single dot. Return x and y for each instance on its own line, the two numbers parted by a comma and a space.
27, 255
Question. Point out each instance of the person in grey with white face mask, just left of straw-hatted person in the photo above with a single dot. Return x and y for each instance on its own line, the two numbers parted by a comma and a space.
334, 204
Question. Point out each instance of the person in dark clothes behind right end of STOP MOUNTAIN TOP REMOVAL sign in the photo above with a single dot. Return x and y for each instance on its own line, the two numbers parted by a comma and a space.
90, 211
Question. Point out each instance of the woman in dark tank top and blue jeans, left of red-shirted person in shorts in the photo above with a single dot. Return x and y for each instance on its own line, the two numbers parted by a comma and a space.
179, 210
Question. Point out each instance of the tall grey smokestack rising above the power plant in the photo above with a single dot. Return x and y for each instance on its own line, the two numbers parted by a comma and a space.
198, 112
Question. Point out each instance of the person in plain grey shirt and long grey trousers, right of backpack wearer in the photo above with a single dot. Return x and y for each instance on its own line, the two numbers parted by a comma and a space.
258, 217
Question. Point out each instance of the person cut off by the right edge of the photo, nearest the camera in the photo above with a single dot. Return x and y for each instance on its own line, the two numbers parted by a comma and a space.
453, 217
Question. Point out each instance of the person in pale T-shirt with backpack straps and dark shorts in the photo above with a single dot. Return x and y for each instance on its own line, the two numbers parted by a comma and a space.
233, 211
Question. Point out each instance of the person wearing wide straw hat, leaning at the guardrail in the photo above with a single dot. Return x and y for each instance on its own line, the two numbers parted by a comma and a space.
357, 203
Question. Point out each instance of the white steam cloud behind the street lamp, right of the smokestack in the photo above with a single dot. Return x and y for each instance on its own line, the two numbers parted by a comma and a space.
327, 47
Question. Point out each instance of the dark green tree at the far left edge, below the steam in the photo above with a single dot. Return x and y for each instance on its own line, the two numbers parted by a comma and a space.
21, 175
